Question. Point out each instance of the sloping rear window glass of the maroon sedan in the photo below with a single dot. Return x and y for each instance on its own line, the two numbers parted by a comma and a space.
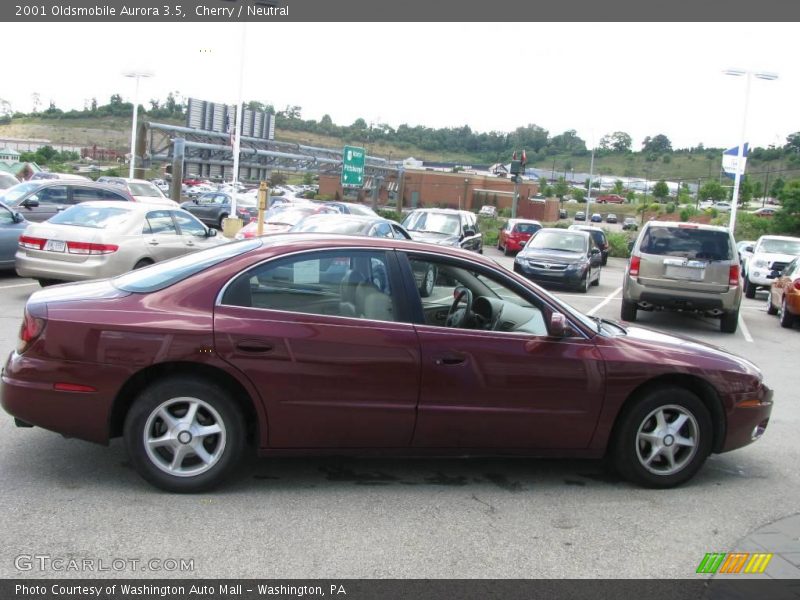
164, 274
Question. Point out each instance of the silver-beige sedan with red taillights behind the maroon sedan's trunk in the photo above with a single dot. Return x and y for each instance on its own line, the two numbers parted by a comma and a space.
103, 239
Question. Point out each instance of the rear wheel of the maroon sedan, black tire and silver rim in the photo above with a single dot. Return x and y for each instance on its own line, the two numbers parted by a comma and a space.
215, 407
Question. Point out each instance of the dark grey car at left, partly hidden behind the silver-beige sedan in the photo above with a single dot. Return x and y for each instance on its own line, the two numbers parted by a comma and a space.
39, 200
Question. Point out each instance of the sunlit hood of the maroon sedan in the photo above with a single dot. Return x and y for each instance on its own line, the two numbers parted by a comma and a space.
677, 348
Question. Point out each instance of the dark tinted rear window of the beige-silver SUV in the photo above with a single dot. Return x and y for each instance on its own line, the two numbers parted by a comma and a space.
686, 243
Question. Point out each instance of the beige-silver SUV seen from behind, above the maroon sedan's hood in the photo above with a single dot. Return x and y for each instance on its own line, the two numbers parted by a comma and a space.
685, 267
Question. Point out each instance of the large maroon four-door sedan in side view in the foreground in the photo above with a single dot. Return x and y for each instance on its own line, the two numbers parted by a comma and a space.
311, 344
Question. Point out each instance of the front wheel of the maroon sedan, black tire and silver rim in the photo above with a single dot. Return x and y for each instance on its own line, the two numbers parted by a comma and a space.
631, 452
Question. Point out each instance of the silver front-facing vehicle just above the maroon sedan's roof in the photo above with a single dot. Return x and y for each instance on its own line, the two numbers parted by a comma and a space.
445, 227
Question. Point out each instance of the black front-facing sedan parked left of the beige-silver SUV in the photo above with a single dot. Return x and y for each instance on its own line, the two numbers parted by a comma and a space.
561, 257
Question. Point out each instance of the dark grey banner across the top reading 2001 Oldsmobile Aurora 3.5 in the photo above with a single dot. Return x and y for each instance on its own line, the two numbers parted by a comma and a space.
408, 10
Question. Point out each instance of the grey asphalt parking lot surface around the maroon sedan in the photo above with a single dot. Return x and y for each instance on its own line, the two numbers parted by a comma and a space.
422, 518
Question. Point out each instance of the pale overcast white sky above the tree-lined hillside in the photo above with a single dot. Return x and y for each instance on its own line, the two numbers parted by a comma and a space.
597, 78
